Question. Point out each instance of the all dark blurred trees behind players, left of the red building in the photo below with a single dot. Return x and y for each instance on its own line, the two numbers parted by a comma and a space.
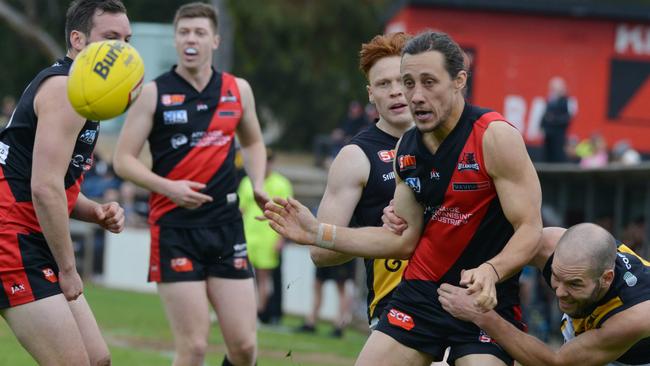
299, 55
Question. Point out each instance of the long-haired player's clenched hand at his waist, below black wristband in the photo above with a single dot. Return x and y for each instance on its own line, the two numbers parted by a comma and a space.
481, 280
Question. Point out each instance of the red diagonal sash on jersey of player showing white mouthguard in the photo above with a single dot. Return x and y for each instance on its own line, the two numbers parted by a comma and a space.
203, 162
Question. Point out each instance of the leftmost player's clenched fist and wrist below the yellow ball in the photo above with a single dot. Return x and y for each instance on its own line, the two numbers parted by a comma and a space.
109, 215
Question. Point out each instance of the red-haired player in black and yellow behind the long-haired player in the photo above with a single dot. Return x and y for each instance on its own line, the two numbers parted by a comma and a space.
361, 180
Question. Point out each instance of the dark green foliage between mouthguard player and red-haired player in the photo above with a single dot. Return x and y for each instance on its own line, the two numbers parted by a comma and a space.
301, 57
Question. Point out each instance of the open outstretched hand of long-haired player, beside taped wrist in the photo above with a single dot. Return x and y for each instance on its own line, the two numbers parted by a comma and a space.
292, 220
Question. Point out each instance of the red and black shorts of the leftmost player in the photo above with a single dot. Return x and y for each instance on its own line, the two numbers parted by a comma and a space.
28, 271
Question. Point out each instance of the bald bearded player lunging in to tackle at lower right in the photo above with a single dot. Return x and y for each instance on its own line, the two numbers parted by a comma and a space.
601, 285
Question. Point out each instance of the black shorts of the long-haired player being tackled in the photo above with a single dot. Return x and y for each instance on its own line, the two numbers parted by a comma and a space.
415, 318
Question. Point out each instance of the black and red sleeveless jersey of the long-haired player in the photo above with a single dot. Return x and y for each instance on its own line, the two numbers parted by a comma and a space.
464, 224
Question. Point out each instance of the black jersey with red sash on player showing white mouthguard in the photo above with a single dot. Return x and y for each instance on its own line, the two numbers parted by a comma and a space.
193, 139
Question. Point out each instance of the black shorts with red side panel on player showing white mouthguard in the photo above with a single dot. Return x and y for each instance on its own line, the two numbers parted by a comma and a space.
193, 254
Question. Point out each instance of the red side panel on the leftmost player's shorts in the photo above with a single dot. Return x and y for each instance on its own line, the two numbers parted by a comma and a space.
12, 274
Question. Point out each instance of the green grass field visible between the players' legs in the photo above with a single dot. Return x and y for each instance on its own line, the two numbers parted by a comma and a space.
136, 330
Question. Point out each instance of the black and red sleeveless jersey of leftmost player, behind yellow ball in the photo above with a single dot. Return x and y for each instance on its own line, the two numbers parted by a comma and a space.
16, 154
